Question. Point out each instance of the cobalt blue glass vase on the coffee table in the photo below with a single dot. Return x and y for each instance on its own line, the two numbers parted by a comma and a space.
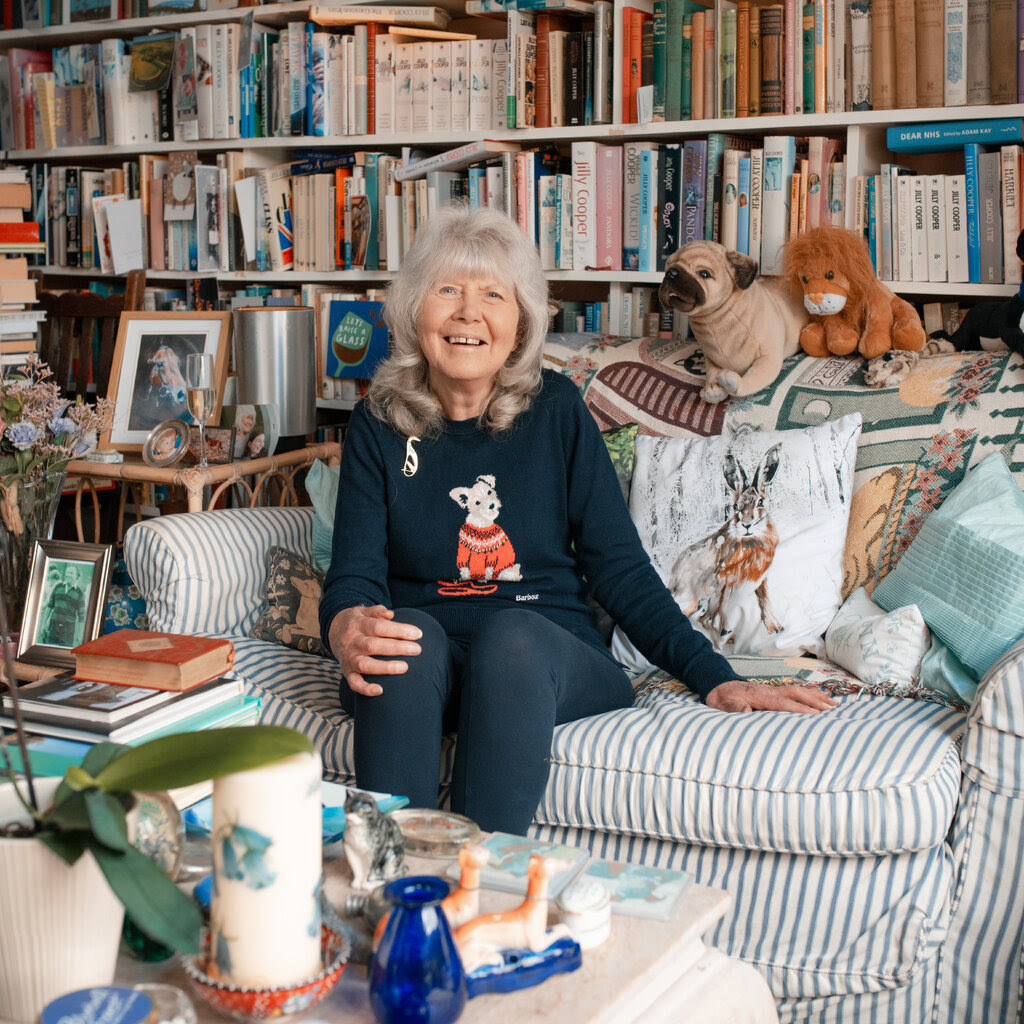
416, 974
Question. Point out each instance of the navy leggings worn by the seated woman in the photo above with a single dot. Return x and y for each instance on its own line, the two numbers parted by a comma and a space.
520, 677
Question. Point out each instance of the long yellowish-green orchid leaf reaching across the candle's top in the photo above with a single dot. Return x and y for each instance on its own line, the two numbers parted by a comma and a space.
185, 759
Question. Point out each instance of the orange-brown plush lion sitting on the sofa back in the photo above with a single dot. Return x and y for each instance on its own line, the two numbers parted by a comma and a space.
851, 311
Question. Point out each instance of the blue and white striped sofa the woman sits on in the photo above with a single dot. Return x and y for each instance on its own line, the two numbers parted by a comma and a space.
876, 879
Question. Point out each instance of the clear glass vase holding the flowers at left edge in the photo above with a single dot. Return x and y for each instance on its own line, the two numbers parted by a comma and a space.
28, 509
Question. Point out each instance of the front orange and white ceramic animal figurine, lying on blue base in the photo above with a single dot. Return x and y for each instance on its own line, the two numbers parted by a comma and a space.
482, 940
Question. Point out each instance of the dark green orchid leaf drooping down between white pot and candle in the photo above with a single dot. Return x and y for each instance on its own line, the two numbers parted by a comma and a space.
155, 904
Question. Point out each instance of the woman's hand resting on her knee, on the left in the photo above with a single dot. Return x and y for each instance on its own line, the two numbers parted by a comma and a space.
365, 639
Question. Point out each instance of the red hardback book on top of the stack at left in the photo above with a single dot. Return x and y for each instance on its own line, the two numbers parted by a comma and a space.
163, 661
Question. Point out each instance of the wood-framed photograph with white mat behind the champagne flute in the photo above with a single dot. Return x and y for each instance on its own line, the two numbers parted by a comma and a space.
148, 375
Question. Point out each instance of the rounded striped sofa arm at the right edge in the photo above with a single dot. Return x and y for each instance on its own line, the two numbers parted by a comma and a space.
994, 747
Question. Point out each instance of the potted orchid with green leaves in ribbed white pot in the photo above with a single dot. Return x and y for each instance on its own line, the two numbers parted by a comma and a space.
68, 869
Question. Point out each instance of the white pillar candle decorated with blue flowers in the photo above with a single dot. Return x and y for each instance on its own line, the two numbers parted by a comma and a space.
268, 862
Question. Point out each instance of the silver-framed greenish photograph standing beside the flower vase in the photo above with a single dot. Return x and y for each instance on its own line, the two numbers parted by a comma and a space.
66, 603
